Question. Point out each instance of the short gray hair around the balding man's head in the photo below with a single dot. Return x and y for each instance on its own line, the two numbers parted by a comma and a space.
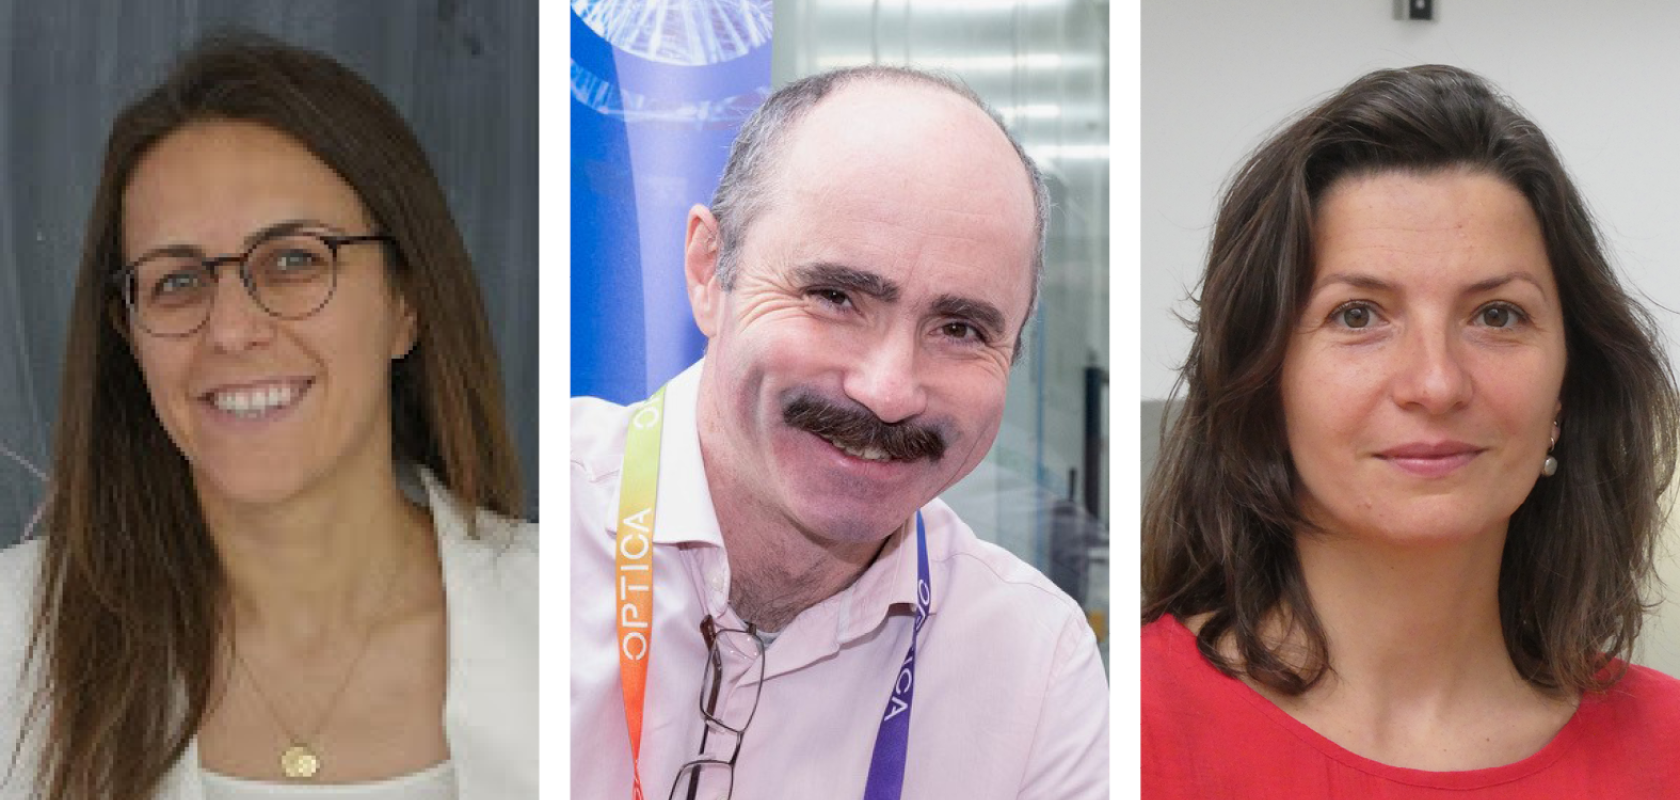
742, 192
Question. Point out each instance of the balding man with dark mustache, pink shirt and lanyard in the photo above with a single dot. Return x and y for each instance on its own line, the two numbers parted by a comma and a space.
769, 599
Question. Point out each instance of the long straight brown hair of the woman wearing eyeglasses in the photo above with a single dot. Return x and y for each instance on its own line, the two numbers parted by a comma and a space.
129, 613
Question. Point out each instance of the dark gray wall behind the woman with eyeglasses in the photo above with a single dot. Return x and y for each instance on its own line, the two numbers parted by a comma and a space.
463, 73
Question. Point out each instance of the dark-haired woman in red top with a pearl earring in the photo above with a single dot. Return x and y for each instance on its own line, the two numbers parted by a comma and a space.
1400, 534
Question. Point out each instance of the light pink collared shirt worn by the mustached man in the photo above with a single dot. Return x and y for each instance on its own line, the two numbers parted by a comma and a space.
1011, 695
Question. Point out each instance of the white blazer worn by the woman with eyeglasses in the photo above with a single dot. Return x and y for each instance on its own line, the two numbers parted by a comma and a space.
491, 703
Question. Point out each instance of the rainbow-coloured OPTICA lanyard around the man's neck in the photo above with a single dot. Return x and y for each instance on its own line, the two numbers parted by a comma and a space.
634, 597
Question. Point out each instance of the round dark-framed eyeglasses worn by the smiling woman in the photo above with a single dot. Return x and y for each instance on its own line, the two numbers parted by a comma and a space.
291, 275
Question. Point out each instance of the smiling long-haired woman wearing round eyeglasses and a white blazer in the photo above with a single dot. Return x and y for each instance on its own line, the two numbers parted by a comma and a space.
280, 550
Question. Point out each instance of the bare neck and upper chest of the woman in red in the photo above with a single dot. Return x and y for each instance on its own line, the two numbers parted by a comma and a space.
1420, 675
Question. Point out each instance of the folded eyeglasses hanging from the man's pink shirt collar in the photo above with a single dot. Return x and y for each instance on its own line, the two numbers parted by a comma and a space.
745, 653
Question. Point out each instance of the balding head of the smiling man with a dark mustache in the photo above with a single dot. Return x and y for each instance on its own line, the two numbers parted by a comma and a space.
883, 248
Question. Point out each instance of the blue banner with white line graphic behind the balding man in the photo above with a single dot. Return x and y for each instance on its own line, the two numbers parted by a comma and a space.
659, 90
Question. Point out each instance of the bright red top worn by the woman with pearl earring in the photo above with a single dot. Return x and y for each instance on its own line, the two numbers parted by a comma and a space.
1212, 737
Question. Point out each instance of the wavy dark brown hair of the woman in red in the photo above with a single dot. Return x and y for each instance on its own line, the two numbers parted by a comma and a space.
1221, 512
